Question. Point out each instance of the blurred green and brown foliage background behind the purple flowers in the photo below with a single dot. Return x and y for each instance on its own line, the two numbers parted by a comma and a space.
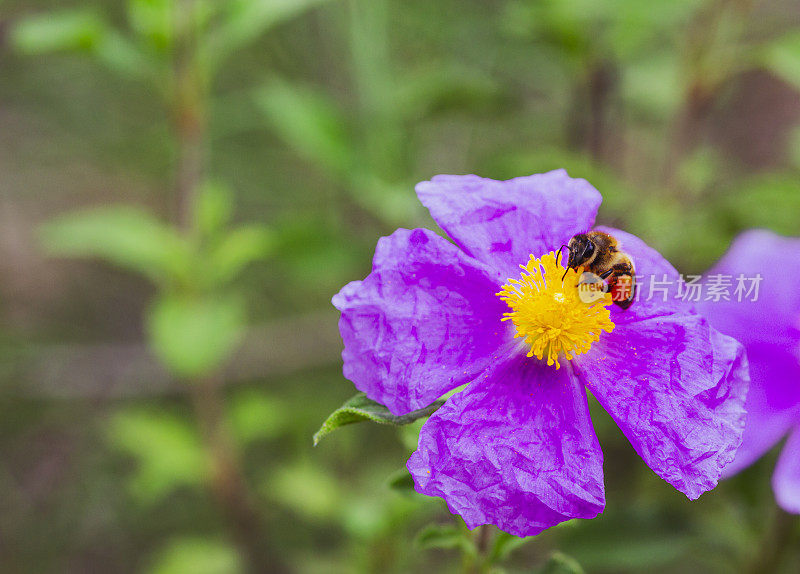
184, 184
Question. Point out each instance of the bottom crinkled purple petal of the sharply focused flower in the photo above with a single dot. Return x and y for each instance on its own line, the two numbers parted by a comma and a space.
515, 449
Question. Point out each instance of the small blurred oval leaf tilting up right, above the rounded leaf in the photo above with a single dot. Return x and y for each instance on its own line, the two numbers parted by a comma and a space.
238, 249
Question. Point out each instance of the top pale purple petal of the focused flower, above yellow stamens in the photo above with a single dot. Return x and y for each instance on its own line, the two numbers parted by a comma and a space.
503, 222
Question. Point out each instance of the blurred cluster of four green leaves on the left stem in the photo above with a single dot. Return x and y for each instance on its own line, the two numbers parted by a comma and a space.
195, 323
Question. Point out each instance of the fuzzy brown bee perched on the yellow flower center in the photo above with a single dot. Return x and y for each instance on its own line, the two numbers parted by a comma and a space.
600, 253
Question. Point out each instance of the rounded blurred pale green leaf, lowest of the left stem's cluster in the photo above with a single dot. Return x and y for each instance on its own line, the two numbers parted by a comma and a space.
194, 336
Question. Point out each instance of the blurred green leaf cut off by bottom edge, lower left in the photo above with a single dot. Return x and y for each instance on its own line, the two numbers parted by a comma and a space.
197, 556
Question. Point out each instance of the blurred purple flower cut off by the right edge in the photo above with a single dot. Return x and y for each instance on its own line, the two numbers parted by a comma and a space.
769, 328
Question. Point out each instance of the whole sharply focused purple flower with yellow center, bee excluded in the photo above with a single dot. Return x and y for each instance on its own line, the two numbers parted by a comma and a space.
516, 447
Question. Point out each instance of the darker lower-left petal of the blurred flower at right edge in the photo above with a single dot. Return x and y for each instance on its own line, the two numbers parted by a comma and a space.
772, 403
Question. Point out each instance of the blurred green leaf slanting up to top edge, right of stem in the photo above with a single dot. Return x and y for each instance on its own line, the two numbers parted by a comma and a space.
246, 20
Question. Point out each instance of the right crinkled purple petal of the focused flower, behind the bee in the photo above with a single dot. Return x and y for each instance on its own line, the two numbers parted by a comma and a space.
675, 387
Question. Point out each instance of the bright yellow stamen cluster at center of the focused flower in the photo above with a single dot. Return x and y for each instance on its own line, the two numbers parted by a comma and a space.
551, 315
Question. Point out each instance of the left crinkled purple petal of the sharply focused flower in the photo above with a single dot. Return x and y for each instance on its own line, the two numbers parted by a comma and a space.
425, 321
